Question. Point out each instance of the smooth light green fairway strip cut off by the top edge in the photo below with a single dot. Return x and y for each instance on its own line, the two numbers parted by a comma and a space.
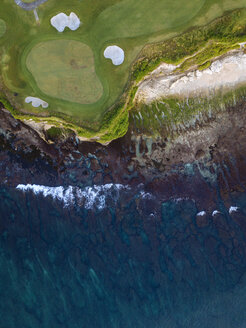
131, 18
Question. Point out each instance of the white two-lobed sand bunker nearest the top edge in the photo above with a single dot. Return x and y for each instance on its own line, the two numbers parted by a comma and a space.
61, 21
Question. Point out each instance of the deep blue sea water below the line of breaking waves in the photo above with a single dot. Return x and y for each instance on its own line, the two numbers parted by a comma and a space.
137, 261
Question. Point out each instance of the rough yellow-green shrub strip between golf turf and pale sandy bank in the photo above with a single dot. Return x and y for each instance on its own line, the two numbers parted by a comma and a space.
215, 39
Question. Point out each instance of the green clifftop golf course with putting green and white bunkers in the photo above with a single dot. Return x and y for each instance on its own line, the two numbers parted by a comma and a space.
63, 63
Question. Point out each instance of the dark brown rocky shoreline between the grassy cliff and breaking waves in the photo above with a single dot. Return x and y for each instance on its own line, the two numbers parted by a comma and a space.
208, 154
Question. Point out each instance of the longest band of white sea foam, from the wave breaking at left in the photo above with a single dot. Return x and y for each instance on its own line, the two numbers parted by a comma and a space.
89, 197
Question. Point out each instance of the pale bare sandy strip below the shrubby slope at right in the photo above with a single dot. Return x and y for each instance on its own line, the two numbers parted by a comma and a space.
224, 73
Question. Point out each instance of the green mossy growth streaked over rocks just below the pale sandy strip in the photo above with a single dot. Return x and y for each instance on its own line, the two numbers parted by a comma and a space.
170, 116
